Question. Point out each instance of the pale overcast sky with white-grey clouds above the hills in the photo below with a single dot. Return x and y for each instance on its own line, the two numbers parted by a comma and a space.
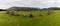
4, 4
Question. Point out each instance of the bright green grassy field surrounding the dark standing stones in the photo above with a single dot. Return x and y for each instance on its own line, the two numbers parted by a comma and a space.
46, 20
